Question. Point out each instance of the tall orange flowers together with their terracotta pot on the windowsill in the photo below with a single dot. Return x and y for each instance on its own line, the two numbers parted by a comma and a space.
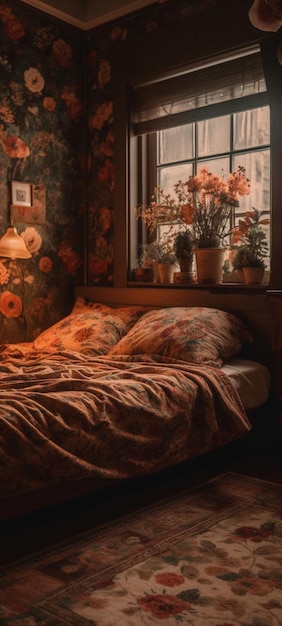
207, 200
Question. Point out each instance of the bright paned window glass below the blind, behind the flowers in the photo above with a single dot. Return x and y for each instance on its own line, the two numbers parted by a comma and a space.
222, 144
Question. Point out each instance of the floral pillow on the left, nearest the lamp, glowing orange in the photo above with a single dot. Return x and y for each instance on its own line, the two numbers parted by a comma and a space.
91, 328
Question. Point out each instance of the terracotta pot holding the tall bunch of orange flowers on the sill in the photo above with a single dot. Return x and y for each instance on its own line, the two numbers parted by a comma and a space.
209, 263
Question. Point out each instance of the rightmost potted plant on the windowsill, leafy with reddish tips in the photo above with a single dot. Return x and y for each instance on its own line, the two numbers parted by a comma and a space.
253, 246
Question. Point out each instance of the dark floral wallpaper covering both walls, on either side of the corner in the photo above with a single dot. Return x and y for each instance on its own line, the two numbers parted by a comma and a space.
56, 130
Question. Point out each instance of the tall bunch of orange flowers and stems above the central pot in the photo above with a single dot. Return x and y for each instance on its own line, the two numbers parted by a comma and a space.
205, 201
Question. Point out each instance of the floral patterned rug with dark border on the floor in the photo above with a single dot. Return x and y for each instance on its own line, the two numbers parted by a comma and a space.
211, 555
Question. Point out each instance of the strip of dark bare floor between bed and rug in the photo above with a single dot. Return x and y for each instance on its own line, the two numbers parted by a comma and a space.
259, 456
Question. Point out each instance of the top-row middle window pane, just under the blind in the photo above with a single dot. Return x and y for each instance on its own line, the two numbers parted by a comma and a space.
214, 136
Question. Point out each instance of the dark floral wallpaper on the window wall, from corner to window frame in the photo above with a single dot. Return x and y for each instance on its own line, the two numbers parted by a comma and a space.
100, 111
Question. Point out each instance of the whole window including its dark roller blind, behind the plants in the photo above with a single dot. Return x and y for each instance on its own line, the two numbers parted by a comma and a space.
217, 116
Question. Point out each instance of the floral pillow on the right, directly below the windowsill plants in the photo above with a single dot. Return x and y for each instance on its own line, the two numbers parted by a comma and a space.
194, 334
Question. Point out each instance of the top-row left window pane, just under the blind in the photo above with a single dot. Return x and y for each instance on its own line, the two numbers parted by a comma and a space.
176, 144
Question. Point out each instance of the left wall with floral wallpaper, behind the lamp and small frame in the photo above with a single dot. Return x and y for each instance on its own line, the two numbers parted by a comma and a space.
42, 141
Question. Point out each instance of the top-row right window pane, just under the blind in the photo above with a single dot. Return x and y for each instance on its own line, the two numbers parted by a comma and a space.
251, 128
